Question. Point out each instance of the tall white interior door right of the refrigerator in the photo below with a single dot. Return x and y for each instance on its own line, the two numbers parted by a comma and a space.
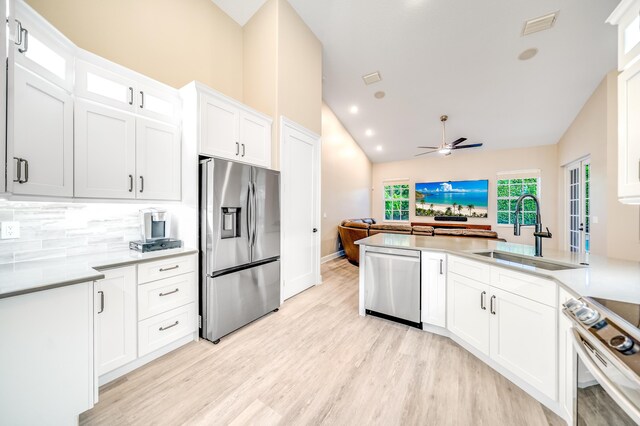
300, 208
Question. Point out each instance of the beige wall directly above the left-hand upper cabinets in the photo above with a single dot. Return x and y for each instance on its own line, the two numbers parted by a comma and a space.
172, 41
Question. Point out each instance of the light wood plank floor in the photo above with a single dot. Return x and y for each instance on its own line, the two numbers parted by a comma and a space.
318, 362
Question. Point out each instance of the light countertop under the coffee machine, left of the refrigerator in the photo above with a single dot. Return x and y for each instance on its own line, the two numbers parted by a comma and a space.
27, 277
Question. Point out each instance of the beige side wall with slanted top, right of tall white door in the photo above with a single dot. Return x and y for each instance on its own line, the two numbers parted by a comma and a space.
346, 180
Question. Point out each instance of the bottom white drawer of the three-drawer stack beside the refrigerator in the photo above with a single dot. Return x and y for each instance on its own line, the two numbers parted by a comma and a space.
162, 329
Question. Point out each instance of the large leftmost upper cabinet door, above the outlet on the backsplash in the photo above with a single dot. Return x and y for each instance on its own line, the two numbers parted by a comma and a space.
42, 136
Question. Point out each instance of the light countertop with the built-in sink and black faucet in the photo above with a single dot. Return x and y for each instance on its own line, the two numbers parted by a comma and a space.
603, 277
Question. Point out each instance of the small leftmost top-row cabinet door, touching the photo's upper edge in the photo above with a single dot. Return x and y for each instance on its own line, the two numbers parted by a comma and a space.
41, 48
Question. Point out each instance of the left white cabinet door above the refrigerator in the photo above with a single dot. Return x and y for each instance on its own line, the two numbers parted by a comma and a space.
219, 128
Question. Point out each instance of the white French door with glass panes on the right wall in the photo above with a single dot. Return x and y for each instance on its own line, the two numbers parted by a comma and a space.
579, 205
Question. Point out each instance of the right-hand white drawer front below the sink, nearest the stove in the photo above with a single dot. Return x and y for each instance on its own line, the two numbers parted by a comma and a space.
525, 285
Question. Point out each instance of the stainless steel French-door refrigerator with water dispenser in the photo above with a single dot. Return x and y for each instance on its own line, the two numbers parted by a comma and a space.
240, 245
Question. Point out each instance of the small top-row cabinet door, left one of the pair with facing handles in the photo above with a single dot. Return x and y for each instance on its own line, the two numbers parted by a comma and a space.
104, 86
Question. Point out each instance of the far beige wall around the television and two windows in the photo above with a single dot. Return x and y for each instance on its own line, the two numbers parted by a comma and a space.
477, 165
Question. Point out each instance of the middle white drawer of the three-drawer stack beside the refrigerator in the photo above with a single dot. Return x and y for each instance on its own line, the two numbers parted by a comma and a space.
161, 296
